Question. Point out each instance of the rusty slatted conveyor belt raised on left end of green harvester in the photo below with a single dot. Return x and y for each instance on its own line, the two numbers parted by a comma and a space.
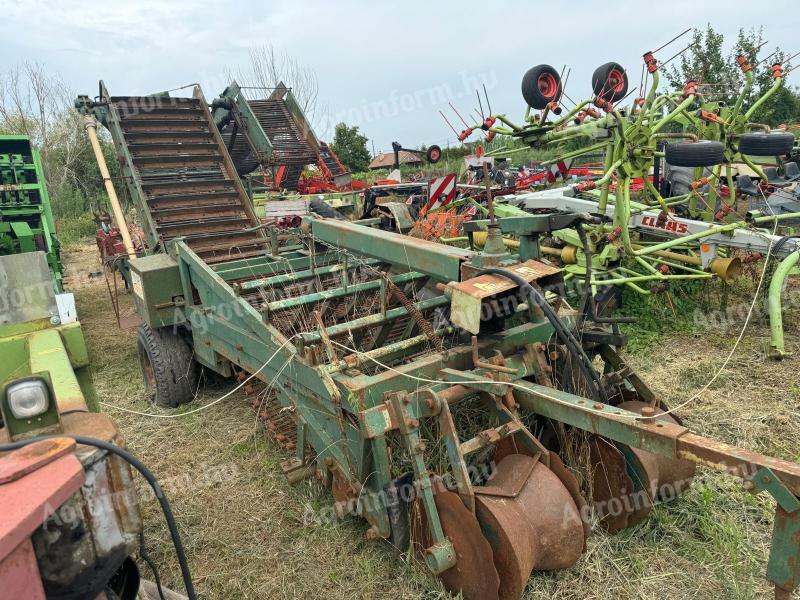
181, 169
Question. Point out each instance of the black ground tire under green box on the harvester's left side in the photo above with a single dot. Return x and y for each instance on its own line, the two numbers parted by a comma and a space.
168, 367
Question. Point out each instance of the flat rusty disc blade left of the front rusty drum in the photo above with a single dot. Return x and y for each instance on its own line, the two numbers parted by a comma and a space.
474, 574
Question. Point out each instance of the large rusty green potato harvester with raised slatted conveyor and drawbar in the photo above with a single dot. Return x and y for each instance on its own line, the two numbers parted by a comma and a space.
433, 388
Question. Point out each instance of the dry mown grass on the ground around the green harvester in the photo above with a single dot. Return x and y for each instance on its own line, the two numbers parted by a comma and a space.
244, 525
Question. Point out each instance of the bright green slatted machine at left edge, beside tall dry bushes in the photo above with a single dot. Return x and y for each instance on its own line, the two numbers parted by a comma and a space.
26, 218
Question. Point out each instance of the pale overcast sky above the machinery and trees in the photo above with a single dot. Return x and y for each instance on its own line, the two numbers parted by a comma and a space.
388, 67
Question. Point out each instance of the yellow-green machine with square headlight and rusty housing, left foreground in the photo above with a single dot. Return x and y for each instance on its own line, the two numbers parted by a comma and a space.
46, 389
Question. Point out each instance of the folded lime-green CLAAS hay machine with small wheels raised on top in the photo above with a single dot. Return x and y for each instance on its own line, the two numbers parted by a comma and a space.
697, 229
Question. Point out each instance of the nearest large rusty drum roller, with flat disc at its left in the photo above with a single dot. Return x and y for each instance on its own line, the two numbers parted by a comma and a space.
530, 520
